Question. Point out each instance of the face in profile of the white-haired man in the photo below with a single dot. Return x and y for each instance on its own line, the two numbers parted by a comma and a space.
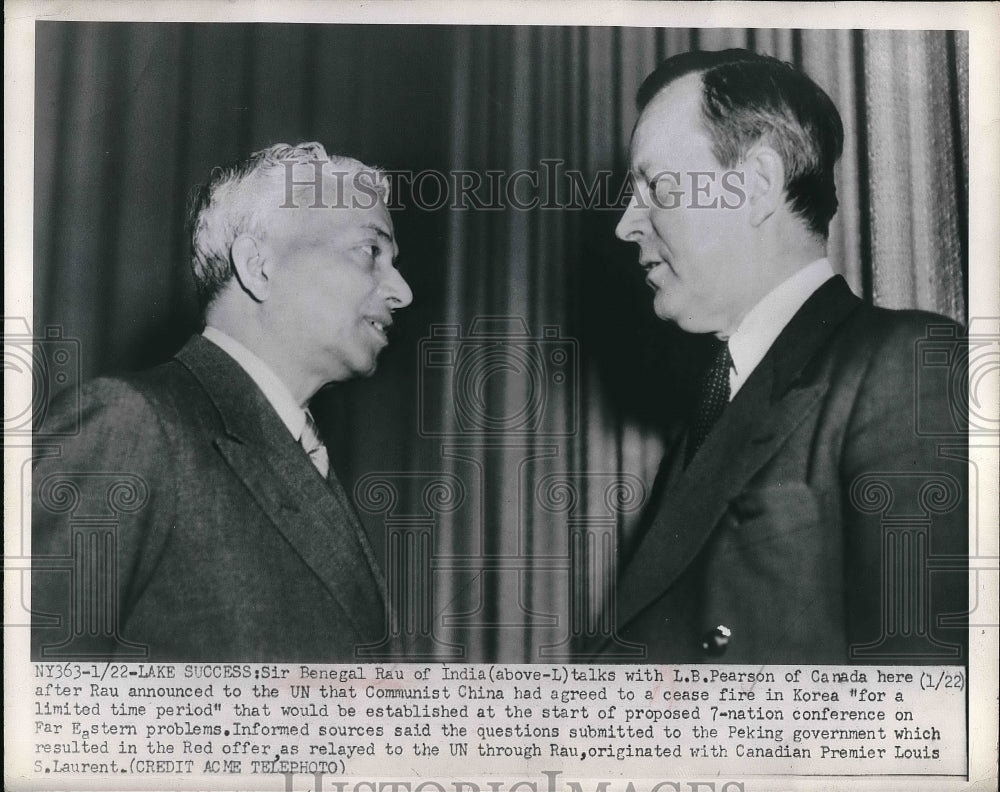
335, 285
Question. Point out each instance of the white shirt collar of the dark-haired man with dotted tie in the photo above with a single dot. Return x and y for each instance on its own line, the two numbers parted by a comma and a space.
765, 321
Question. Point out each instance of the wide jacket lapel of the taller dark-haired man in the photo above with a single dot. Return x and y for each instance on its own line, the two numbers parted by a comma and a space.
774, 401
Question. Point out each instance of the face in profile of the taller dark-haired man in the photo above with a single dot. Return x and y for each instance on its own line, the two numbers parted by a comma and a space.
686, 215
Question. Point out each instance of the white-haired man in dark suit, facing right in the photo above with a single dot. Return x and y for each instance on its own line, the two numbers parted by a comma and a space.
194, 516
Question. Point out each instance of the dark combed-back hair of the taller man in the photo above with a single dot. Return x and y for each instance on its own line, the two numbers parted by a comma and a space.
747, 98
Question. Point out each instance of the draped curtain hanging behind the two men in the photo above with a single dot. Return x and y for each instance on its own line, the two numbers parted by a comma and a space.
509, 438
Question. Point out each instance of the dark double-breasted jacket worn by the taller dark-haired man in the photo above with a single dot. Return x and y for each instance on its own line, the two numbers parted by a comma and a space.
815, 525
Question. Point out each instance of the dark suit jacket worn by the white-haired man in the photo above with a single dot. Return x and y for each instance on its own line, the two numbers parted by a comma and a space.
219, 541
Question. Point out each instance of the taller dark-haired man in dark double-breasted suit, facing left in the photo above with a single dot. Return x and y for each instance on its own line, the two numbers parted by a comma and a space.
800, 517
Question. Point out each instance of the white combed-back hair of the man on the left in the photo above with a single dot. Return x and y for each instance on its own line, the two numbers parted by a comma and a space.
235, 201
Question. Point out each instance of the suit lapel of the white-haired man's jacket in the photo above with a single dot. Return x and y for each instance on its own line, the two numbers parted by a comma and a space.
312, 514
